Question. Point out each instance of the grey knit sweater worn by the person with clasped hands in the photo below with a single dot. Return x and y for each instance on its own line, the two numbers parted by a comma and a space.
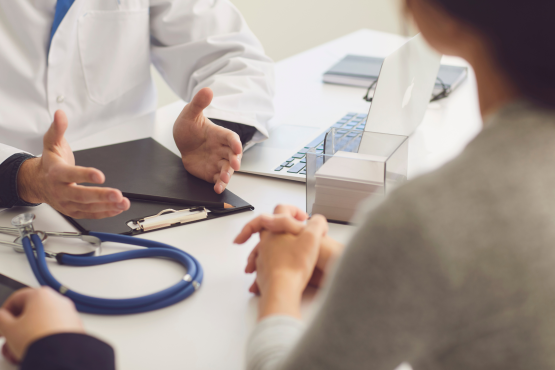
455, 270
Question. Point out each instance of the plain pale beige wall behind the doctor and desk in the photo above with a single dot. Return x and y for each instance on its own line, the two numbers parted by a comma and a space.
288, 27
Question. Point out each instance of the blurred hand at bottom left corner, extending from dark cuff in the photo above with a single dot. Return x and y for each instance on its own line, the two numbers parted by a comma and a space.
30, 314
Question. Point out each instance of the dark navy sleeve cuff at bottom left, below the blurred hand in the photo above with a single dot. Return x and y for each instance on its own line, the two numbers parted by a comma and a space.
69, 351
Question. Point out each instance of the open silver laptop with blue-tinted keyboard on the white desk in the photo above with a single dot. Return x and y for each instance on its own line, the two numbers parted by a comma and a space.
405, 84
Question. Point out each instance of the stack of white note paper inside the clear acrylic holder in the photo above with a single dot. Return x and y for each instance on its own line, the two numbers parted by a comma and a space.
344, 181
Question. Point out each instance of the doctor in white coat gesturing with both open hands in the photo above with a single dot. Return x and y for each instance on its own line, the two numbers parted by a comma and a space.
69, 68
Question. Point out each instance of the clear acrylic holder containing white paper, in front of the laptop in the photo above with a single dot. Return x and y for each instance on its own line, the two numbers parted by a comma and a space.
339, 180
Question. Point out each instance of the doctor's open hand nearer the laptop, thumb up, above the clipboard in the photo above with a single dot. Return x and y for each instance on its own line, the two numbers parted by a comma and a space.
208, 151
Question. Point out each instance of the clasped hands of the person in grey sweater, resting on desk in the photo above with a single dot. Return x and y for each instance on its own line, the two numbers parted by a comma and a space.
290, 256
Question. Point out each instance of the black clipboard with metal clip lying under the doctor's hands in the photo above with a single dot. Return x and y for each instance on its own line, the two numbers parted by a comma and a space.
154, 180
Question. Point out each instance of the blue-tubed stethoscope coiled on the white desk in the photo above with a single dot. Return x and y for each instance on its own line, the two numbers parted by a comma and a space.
31, 243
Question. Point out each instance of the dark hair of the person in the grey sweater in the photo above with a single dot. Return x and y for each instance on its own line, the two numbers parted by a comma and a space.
522, 35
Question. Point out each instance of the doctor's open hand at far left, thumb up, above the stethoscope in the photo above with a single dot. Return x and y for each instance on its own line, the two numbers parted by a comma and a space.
53, 179
